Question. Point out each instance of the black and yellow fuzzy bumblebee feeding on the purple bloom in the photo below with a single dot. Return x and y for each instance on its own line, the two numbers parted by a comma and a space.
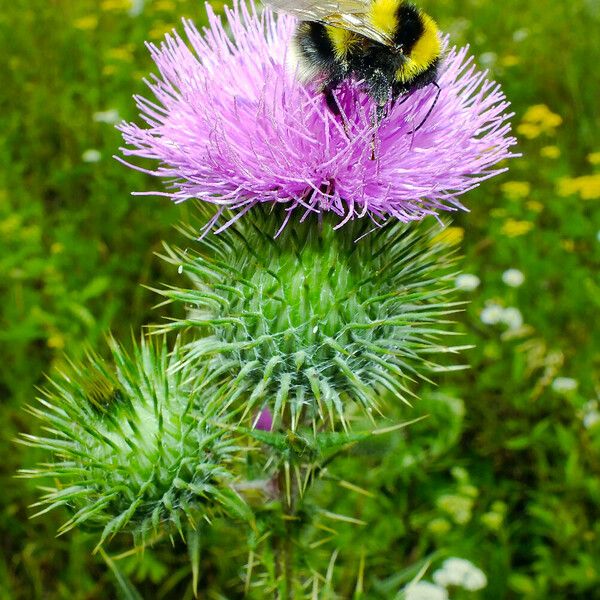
391, 46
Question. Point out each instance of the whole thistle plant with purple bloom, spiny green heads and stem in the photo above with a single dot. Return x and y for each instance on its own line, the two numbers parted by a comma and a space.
295, 328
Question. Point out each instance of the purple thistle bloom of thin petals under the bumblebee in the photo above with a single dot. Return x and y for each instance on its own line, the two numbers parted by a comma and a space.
233, 126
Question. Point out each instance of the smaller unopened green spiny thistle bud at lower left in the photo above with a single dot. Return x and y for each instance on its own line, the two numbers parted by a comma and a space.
132, 447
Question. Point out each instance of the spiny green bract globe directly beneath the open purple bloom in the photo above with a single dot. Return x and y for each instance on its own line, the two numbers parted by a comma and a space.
305, 322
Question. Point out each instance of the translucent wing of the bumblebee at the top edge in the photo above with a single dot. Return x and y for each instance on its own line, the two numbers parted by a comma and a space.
352, 15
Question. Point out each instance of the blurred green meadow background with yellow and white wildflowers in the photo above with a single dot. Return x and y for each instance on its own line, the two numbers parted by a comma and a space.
507, 473
